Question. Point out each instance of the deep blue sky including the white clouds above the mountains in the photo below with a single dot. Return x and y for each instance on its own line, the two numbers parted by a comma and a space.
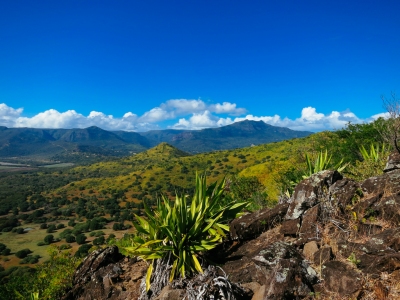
140, 65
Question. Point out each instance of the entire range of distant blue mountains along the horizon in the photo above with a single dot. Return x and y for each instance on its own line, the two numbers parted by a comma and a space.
55, 142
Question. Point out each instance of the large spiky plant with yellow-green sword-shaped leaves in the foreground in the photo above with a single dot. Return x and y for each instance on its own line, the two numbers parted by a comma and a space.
182, 231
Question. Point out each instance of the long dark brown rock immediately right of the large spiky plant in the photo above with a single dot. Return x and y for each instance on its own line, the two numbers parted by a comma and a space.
252, 225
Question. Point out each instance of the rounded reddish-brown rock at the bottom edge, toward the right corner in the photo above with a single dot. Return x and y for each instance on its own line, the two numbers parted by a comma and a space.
341, 279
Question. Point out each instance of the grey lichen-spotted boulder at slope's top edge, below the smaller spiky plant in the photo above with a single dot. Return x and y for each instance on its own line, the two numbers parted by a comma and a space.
308, 192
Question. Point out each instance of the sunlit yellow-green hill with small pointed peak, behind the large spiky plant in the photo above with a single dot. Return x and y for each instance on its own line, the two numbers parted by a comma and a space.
165, 168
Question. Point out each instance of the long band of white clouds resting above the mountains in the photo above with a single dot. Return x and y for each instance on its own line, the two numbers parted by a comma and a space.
184, 113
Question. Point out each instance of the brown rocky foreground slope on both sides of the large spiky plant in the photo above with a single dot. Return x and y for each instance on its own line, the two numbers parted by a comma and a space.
333, 239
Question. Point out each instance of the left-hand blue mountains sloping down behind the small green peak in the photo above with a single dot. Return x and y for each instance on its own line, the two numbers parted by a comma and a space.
63, 144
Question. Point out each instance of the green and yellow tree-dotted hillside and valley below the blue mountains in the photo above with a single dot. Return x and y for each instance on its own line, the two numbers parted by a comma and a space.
87, 206
